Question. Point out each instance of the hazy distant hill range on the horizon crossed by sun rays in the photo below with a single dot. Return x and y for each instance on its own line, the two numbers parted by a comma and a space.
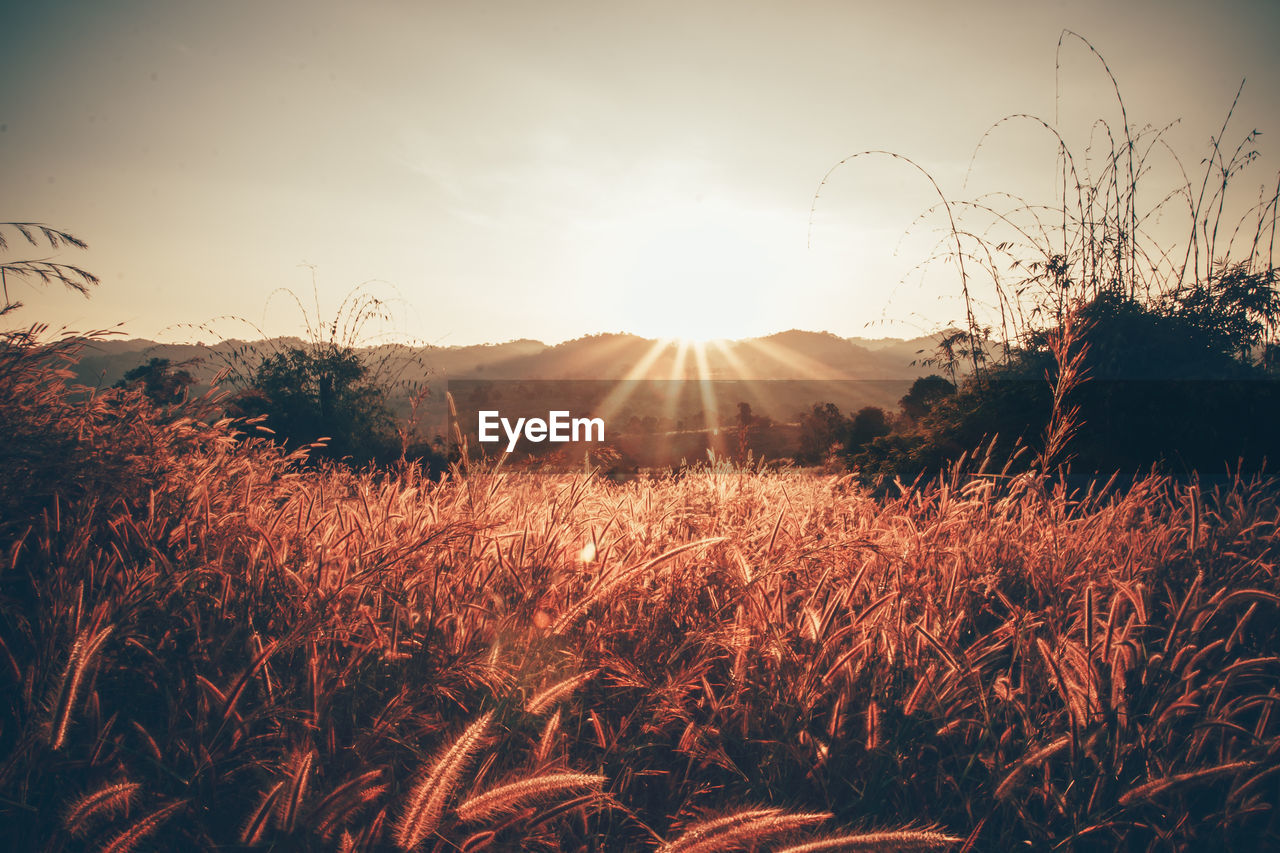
779, 376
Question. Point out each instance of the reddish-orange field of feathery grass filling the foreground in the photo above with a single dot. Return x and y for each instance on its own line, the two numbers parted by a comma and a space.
209, 646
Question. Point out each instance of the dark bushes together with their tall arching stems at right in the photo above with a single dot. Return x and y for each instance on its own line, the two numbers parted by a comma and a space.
1090, 337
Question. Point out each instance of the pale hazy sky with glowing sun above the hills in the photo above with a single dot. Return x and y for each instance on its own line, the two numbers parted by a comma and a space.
499, 171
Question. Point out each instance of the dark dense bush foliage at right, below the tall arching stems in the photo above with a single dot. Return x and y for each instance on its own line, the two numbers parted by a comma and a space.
1169, 385
